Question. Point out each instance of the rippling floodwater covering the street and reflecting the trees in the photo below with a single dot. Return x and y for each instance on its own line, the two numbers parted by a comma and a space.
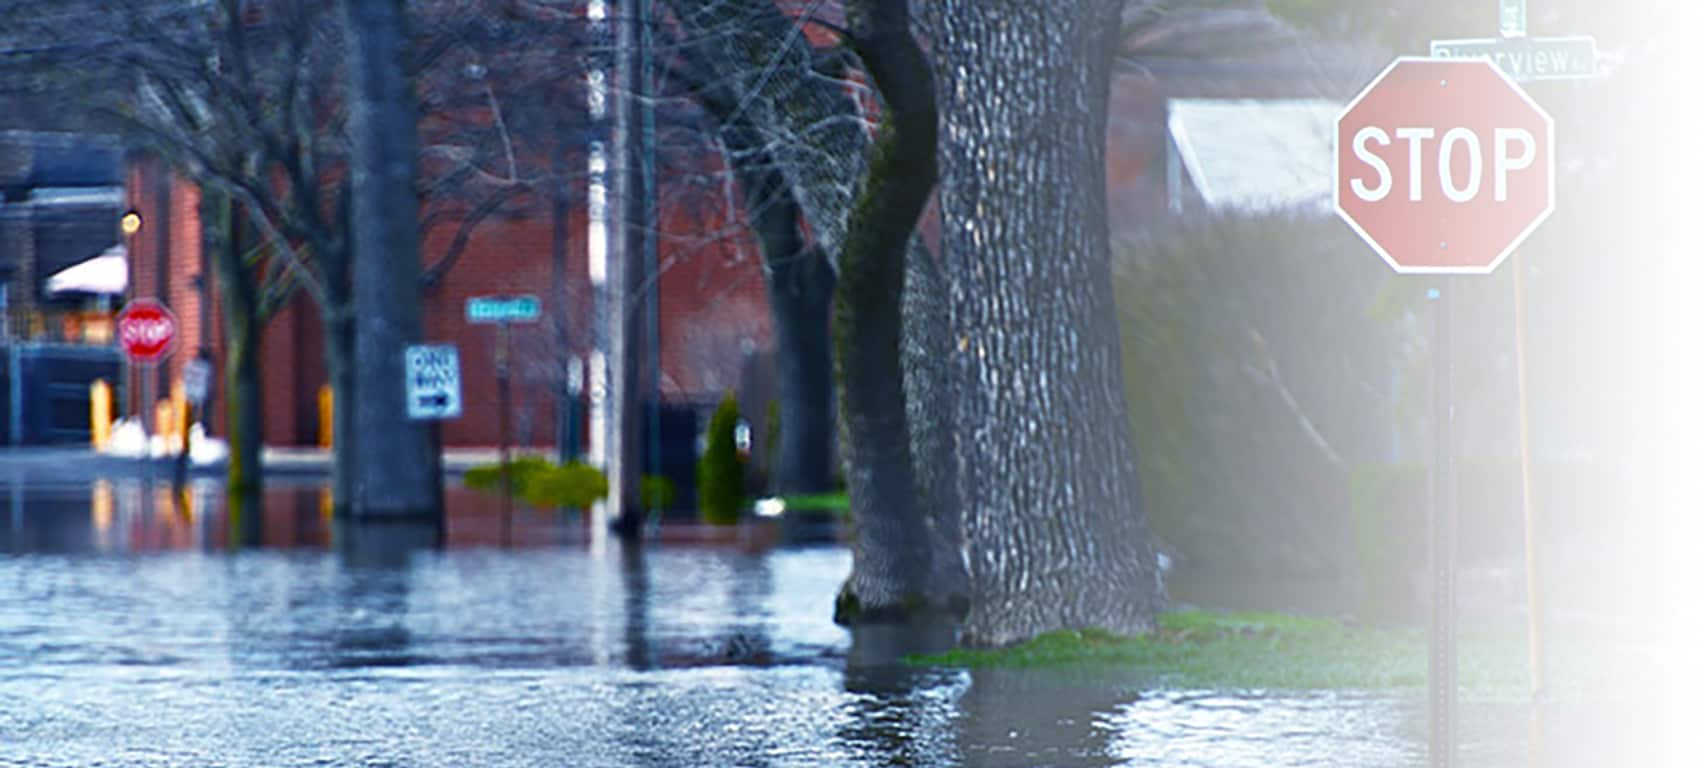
147, 630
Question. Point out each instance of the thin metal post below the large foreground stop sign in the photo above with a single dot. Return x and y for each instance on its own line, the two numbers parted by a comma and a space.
1442, 546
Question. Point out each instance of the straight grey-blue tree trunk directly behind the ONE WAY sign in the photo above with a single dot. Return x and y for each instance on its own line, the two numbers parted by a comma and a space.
399, 470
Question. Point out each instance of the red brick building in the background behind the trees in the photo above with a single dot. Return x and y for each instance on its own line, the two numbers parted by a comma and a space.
711, 303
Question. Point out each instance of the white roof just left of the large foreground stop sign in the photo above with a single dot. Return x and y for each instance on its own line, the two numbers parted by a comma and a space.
1257, 155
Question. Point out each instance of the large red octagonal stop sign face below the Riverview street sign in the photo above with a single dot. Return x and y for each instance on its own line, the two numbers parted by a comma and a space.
1444, 166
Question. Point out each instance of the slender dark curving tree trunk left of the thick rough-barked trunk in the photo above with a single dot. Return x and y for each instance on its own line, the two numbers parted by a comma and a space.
893, 560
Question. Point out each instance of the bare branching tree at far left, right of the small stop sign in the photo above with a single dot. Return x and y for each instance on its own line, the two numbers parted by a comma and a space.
239, 110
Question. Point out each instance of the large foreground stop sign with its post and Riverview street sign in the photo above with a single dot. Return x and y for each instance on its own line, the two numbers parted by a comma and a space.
1410, 205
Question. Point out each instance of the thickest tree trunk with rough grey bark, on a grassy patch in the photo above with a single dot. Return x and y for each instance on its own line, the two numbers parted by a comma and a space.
1053, 516
